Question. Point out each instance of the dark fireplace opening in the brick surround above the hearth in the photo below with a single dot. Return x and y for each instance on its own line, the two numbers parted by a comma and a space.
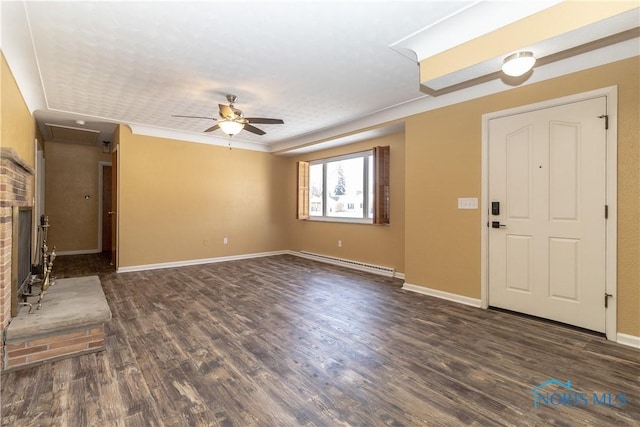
21, 254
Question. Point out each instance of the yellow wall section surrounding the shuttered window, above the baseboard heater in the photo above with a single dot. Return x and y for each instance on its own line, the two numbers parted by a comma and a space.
380, 245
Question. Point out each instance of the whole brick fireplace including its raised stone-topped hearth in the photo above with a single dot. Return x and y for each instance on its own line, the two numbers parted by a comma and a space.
73, 315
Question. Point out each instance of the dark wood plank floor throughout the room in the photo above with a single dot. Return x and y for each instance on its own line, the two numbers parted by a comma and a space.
285, 341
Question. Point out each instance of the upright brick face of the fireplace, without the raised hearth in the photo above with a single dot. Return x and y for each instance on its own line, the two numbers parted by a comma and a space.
16, 190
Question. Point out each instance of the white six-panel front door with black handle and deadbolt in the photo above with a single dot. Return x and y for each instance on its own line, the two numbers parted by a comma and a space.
547, 171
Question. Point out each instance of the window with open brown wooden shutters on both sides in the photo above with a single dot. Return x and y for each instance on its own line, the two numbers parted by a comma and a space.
350, 188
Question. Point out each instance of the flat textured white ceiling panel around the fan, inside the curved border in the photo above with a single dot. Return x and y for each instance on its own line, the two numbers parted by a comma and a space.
312, 64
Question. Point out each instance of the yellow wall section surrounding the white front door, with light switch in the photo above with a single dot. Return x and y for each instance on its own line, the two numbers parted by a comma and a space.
443, 152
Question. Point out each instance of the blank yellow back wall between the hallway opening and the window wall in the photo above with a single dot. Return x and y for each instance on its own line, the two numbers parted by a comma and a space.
178, 200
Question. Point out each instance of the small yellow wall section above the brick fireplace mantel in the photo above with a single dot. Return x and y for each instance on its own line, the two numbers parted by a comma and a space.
18, 126
